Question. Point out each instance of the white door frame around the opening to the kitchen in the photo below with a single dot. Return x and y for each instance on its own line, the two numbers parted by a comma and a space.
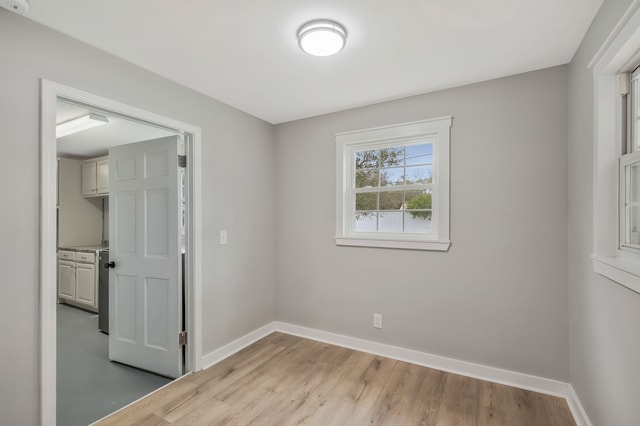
50, 93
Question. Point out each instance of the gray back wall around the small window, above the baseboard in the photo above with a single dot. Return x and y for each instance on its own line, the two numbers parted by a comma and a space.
499, 296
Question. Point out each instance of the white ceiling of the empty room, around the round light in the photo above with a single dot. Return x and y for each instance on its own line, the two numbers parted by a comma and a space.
245, 53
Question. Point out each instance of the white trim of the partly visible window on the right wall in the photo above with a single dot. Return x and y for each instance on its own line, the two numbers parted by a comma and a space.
618, 54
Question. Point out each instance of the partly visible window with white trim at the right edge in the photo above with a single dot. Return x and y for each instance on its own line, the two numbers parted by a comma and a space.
616, 172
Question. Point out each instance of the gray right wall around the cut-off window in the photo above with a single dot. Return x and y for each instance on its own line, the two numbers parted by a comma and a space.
605, 348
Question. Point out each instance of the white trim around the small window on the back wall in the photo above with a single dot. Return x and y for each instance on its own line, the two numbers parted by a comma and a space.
346, 142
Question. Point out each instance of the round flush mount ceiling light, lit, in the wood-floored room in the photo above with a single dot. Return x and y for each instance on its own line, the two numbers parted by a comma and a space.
322, 37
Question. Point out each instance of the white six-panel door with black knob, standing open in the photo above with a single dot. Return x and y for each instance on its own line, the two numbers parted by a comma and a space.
145, 297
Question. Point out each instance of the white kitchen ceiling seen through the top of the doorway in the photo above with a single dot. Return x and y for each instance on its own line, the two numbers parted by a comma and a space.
97, 141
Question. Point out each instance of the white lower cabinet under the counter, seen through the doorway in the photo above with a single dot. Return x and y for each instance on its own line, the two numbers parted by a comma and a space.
78, 279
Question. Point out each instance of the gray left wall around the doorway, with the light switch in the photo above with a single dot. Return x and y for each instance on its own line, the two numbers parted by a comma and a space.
238, 176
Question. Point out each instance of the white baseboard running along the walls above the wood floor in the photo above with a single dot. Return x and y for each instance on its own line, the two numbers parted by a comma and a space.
464, 368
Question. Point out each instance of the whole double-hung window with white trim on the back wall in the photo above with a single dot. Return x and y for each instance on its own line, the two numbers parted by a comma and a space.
393, 186
